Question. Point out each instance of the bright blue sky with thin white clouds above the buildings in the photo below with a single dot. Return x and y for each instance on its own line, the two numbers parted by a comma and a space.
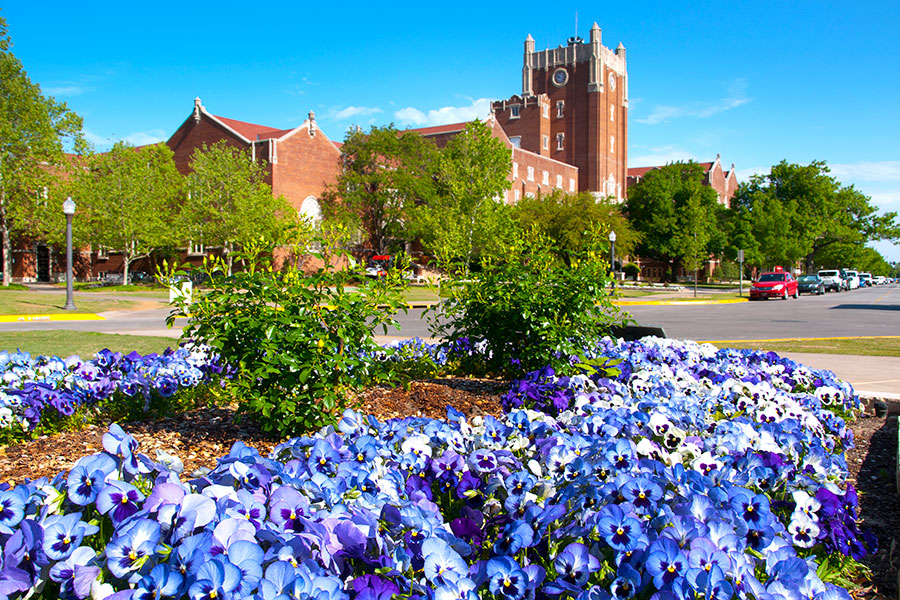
756, 82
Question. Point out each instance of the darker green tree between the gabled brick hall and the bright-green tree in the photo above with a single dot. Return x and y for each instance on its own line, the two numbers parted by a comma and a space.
385, 174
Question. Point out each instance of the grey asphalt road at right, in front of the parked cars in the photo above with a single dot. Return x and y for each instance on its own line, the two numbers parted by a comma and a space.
866, 312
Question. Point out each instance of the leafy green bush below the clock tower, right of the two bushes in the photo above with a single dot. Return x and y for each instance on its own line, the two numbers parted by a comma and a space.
529, 310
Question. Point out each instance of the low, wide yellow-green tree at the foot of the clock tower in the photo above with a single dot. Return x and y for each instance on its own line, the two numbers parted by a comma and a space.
568, 220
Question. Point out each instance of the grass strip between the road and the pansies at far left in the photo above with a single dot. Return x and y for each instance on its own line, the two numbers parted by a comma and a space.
83, 343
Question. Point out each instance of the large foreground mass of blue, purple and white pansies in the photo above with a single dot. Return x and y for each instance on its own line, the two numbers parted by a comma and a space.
693, 471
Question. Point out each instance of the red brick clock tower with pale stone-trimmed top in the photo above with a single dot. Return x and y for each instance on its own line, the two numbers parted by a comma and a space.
574, 109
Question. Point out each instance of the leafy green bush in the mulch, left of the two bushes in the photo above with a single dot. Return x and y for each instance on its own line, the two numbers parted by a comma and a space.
298, 342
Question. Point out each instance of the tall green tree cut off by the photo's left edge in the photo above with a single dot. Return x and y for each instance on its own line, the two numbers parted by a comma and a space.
33, 130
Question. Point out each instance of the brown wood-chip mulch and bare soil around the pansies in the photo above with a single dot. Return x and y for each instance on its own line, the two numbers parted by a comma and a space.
201, 436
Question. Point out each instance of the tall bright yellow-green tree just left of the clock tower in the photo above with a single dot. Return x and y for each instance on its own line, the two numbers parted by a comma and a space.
467, 217
